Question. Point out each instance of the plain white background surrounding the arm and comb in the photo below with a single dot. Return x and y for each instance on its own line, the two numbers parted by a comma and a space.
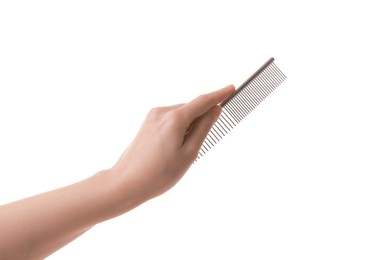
305, 176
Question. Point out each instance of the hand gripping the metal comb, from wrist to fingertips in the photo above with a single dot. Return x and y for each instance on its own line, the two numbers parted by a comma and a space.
166, 145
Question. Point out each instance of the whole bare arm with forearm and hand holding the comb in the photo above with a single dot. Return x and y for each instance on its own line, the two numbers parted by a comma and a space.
162, 151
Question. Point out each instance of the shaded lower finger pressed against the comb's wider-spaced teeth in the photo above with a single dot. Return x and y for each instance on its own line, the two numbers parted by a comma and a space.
201, 128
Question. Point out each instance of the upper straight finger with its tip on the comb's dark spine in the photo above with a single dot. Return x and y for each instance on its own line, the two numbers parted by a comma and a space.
204, 103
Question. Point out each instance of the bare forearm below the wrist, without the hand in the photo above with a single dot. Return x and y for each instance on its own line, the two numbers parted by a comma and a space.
35, 227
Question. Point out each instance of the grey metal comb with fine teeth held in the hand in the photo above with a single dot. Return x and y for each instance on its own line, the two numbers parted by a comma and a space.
243, 101
